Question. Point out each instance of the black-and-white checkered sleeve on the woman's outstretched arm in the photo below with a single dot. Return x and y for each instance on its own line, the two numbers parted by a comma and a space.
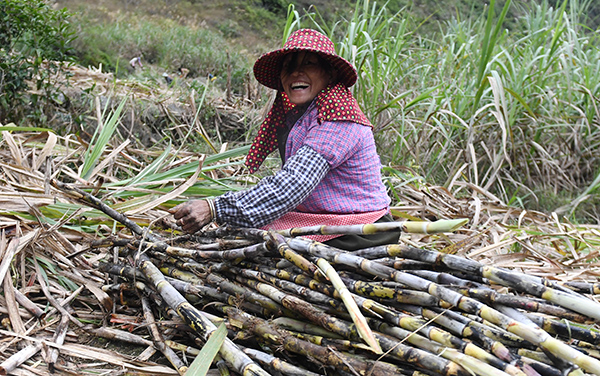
274, 195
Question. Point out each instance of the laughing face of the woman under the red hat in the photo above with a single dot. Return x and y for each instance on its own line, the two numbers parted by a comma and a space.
303, 76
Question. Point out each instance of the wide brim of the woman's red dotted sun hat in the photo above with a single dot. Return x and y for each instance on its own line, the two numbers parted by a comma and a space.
267, 68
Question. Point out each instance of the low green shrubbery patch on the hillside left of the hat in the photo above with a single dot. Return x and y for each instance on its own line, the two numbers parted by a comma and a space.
160, 42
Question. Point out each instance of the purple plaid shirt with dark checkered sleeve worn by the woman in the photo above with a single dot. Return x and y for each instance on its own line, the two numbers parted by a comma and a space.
330, 167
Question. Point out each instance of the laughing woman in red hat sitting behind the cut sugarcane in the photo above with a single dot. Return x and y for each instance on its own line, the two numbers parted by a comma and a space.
331, 170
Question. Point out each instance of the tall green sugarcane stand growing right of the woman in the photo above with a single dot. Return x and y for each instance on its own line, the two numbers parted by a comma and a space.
513, 111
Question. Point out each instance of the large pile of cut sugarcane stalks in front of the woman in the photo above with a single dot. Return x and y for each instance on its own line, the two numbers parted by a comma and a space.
293, 306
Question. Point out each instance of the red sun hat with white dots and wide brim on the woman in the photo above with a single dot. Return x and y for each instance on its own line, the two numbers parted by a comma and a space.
267, 68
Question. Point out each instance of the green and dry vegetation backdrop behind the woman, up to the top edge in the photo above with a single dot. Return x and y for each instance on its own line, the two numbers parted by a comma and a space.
501, 96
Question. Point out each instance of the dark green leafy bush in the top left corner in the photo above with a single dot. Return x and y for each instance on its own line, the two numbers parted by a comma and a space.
34, 43
